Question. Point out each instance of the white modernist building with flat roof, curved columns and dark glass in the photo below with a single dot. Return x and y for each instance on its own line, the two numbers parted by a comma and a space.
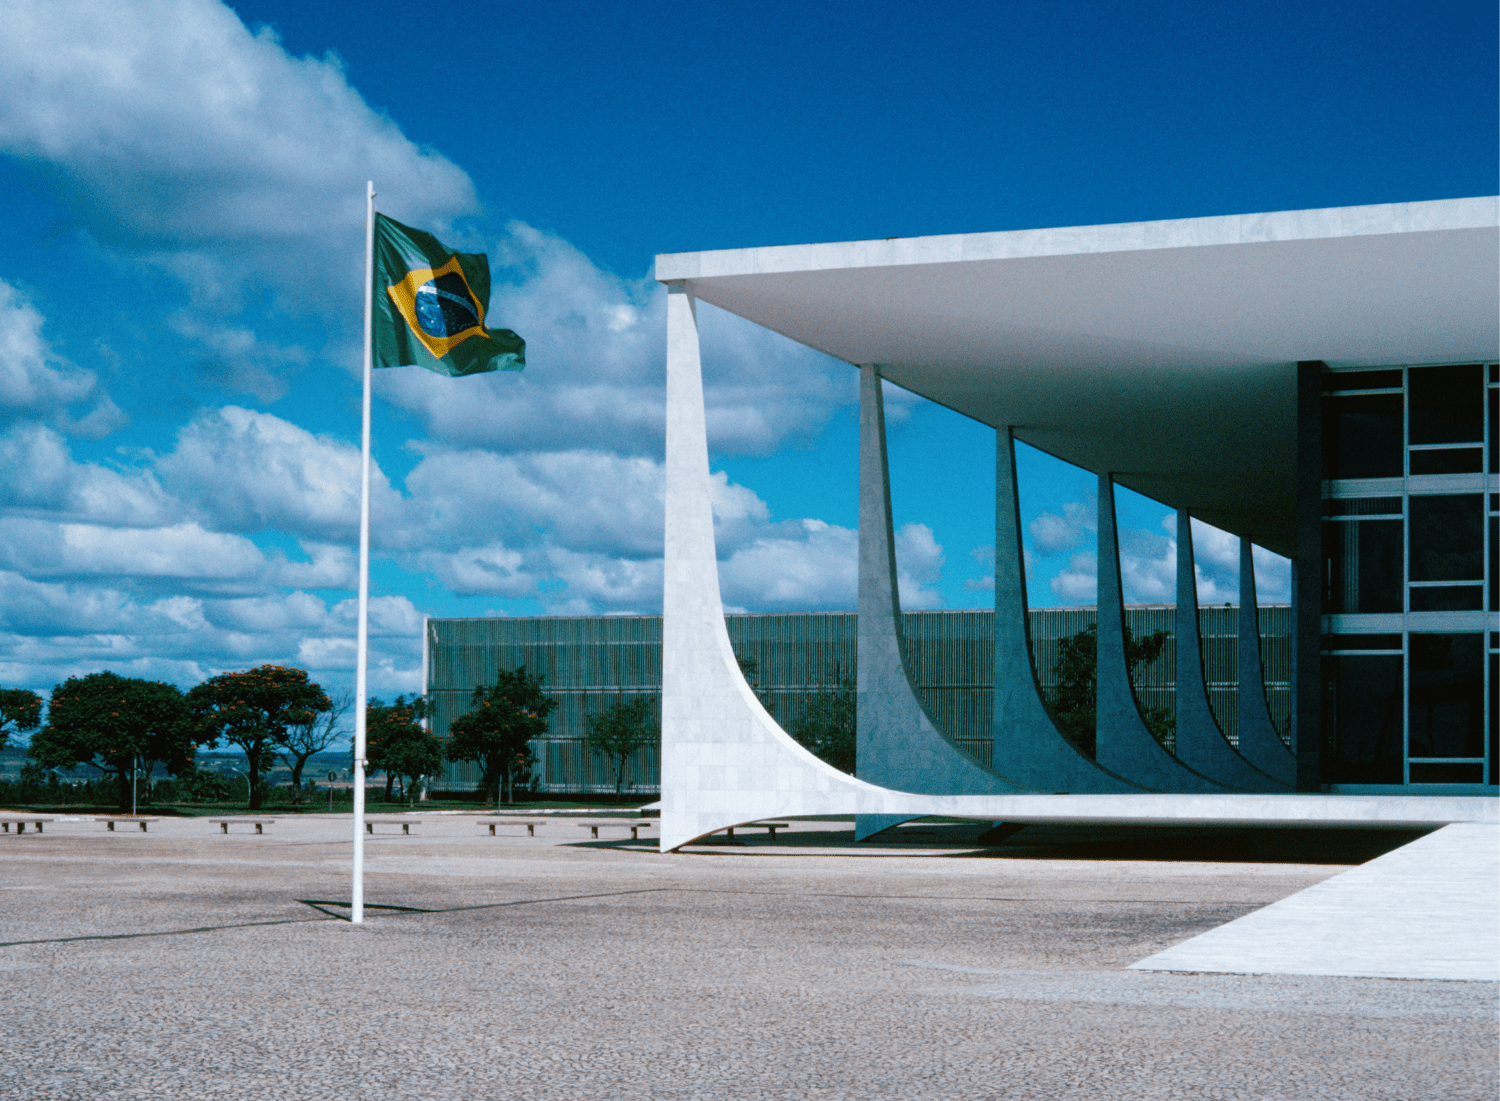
1321, 383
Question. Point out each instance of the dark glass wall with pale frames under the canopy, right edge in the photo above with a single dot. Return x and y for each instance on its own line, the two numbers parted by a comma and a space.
1411, 529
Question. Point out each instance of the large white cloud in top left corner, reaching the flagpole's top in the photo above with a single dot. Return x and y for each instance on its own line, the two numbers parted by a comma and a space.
179, 134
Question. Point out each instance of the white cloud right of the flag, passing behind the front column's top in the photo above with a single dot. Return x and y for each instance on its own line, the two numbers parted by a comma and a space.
596, 368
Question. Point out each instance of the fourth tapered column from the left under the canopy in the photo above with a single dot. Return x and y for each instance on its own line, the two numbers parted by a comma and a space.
1123, 743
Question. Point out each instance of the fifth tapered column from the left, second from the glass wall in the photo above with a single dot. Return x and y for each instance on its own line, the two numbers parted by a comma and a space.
1201, 745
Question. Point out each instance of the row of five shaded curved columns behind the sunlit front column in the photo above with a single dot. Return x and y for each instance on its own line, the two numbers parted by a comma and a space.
902, 748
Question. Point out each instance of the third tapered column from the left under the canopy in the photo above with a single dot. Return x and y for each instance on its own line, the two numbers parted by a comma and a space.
1028, 746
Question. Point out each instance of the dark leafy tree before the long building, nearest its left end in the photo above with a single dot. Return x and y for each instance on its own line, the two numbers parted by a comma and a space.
499, 728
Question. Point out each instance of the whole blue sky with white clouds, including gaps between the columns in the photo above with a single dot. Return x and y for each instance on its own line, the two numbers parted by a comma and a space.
182, 254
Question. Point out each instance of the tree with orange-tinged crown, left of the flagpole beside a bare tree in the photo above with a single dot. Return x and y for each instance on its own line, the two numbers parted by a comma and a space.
256, 710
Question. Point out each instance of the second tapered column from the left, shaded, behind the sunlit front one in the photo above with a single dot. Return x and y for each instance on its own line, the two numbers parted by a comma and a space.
898, 745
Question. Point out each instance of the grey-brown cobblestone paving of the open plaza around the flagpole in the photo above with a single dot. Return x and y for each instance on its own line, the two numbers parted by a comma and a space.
190, 965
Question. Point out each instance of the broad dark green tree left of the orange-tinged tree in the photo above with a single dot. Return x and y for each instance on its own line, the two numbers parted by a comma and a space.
109, 722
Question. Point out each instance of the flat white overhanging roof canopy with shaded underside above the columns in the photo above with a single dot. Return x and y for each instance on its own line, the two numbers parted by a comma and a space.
1160, 352
